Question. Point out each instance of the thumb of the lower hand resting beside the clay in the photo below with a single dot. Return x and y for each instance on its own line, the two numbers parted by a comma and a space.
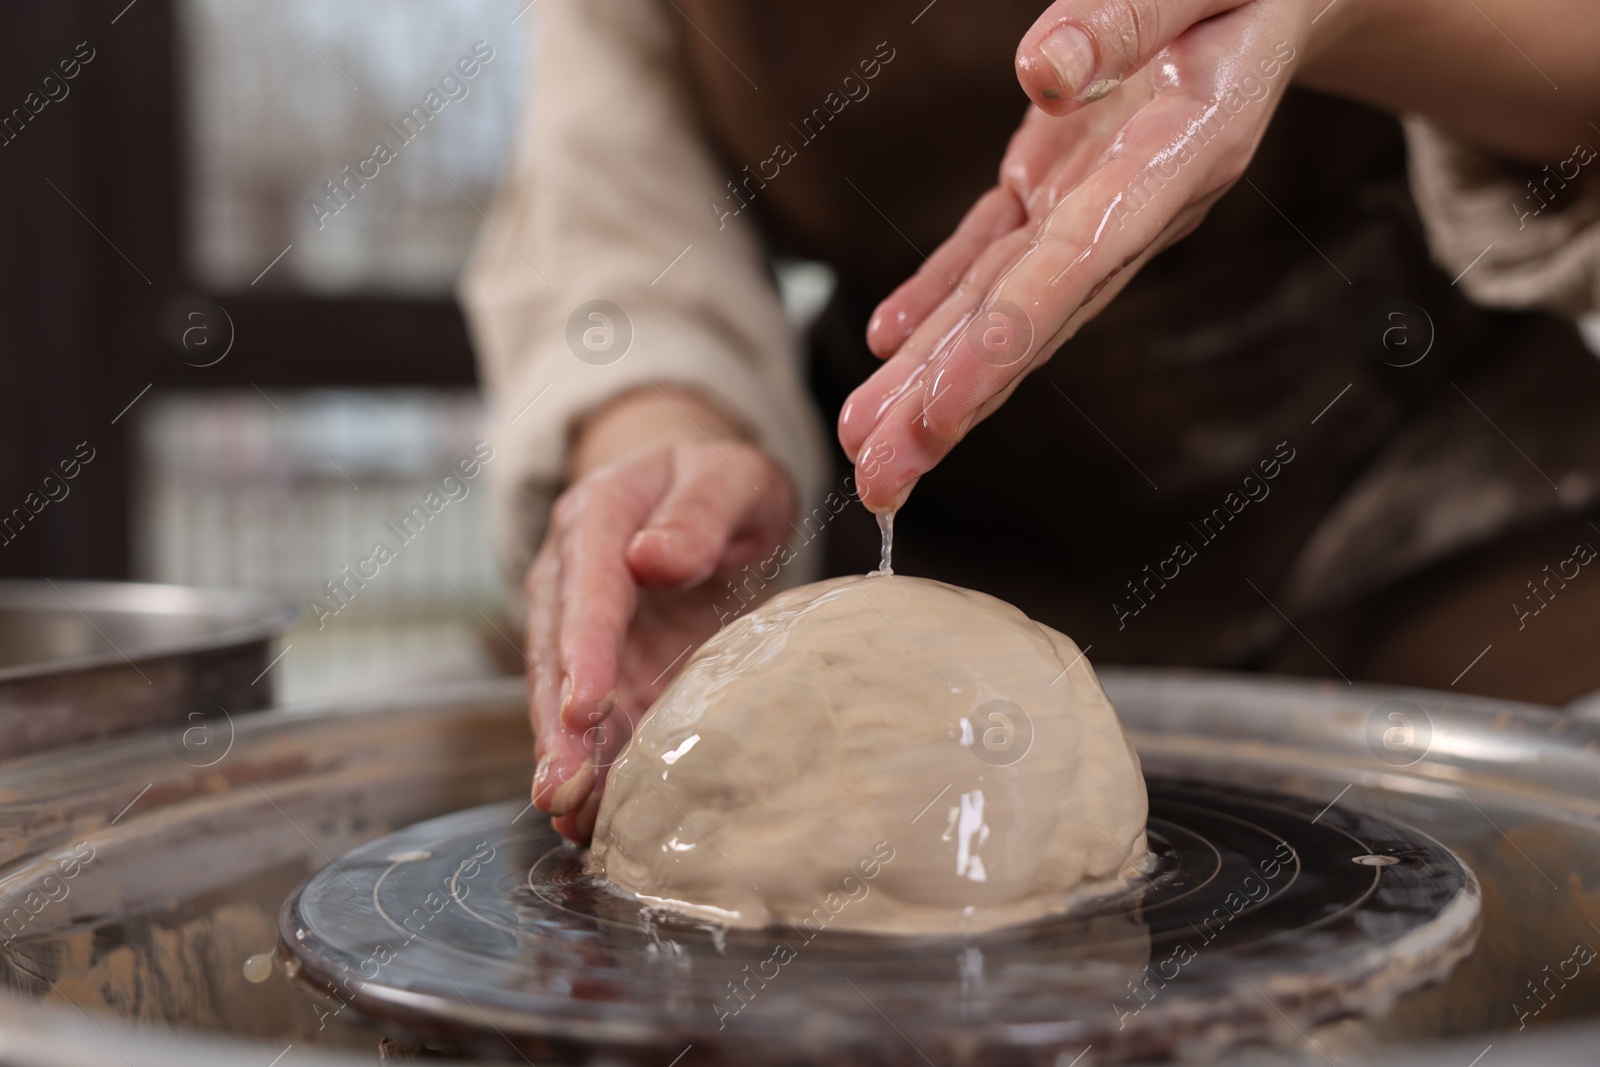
710, 498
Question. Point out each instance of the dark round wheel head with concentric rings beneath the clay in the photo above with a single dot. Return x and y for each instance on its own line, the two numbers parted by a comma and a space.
1260, 921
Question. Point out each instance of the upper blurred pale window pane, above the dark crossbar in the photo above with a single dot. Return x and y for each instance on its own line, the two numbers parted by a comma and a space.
284, 95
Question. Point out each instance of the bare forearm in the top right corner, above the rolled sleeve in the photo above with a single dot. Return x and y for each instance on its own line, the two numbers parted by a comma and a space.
1518, 78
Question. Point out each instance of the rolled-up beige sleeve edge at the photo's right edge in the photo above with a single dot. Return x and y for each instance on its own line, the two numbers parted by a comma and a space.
1511, 246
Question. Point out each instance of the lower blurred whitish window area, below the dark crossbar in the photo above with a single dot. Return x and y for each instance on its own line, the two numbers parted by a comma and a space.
282, 492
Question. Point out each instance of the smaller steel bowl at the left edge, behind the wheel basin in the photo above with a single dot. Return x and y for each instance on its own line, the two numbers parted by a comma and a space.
89, 660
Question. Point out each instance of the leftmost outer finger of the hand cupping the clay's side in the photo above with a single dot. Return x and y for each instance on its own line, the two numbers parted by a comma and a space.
561, 753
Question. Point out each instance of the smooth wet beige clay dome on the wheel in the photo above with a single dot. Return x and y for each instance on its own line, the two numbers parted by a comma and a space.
878, 754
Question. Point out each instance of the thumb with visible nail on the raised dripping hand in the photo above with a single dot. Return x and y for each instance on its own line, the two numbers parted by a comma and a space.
1081, 50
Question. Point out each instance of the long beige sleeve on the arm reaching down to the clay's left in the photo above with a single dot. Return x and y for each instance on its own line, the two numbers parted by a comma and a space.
607, 201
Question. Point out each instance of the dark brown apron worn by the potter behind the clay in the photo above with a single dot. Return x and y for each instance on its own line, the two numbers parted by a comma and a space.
1121, 495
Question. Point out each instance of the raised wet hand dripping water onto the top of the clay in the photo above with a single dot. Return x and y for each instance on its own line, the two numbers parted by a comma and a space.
1145, 114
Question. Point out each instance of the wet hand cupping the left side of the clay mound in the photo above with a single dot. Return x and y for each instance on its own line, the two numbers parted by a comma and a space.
631, 580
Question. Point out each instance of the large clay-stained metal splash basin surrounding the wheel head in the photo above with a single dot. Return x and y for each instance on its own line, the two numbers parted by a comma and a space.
150, 887
